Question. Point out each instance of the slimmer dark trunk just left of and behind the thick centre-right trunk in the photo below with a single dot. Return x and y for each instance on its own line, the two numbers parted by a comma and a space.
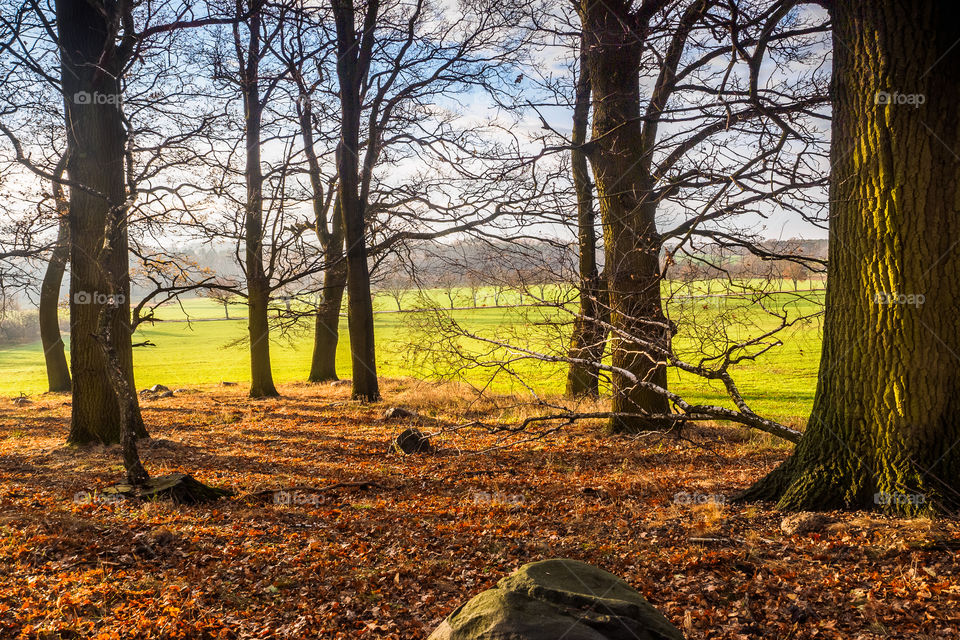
587, 342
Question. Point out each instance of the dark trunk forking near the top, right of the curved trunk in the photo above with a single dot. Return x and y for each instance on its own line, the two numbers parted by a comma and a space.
352, 65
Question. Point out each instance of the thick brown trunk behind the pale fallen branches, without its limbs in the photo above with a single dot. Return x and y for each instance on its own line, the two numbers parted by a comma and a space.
632, 244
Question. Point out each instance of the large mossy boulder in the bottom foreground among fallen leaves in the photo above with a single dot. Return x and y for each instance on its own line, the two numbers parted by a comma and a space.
558, 598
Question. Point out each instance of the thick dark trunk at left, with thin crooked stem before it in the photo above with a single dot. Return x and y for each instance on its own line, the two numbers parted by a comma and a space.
95, 139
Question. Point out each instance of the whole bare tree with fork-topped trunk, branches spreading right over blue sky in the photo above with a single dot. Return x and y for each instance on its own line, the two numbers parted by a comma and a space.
394, 95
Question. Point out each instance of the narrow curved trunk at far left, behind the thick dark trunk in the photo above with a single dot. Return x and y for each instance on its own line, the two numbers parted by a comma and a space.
58, 374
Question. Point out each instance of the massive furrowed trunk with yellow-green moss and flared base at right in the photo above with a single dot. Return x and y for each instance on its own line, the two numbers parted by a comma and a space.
884, 432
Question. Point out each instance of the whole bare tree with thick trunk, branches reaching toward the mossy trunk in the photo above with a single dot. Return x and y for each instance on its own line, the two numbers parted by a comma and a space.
645, 154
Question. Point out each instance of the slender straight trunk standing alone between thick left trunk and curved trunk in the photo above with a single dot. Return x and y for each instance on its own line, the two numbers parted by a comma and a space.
258, 284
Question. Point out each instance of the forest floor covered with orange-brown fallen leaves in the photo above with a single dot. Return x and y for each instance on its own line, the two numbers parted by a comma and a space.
391, 558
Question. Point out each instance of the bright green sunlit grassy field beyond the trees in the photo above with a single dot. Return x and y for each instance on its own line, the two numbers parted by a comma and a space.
210, 349
